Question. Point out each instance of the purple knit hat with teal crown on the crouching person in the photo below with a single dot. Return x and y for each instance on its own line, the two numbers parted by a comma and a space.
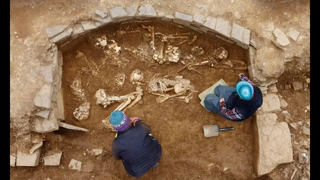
119, 120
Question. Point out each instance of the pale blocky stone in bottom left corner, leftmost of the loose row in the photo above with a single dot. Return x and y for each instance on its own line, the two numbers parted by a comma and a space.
24, 159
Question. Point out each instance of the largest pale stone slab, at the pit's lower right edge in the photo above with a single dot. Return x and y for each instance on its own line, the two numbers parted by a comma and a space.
273, 142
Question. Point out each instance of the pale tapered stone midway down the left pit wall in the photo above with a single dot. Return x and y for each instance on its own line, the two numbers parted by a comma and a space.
43, 97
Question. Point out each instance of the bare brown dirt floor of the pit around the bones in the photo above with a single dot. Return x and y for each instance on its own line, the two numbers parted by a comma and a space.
187, 154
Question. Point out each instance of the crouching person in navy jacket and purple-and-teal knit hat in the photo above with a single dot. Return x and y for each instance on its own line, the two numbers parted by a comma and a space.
134, 145
